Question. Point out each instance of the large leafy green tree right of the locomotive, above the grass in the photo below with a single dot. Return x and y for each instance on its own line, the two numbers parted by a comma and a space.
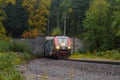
100, 25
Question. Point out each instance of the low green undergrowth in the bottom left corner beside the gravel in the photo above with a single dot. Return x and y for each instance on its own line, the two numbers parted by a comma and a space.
8, 62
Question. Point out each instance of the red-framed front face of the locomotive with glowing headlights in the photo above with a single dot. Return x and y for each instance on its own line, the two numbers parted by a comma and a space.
62, 45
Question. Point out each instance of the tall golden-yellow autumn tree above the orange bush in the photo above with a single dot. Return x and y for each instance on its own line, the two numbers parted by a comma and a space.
38, 13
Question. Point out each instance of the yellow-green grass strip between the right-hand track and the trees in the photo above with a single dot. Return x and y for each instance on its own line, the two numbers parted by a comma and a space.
110, 55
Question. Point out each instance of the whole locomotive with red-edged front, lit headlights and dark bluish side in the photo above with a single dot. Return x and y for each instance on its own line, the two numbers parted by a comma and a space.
59, 46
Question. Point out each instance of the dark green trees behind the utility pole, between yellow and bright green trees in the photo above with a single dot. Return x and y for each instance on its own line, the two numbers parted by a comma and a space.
74, 10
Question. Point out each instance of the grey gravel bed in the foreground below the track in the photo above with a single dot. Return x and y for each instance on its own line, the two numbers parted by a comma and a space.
48, 69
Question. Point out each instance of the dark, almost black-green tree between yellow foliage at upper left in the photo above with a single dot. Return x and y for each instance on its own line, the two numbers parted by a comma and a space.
16, 21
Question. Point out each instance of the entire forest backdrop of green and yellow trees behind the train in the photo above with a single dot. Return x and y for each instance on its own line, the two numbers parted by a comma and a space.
97, 22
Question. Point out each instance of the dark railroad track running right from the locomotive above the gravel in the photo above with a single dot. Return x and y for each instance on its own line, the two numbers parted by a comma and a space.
112, 62
